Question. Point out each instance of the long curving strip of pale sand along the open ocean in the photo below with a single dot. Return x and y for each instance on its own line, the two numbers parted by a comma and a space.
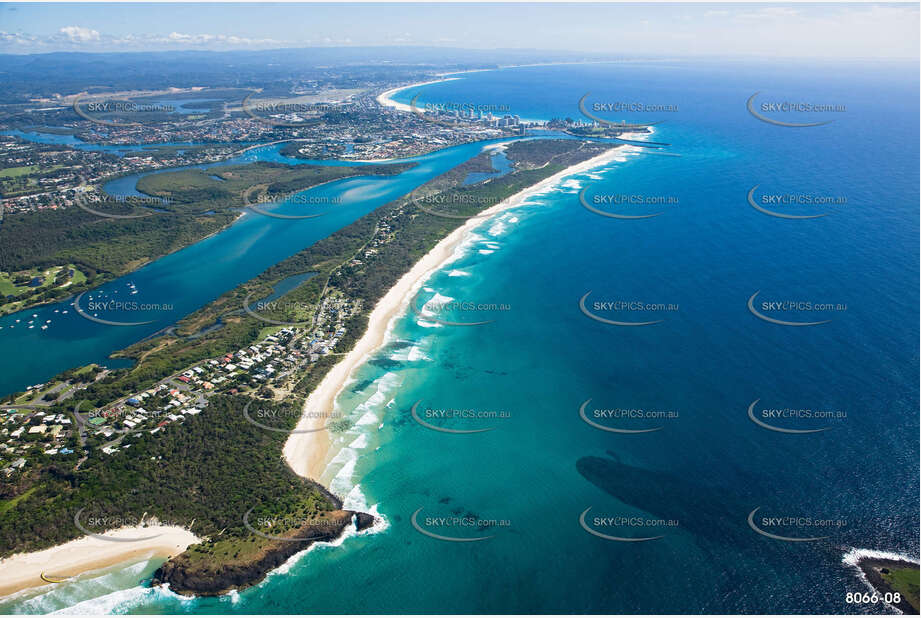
308, 453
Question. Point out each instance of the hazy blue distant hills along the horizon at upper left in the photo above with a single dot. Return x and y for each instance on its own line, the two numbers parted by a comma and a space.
41, 75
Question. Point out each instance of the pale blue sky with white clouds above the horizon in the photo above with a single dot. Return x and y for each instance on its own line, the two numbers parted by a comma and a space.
775, 30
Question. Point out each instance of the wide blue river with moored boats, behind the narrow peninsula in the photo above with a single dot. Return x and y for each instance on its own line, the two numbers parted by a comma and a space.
180, 283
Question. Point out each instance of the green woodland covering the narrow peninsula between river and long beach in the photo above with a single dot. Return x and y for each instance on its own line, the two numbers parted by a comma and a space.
207, 472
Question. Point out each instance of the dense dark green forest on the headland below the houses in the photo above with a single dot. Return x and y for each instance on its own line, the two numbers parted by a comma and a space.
204, 475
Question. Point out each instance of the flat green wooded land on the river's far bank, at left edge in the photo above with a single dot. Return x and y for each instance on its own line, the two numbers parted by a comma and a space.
193, 204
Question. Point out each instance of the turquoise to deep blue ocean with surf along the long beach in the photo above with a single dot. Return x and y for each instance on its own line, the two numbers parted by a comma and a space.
540, 358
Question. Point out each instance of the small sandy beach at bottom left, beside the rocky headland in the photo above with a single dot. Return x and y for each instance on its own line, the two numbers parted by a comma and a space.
88, 553
